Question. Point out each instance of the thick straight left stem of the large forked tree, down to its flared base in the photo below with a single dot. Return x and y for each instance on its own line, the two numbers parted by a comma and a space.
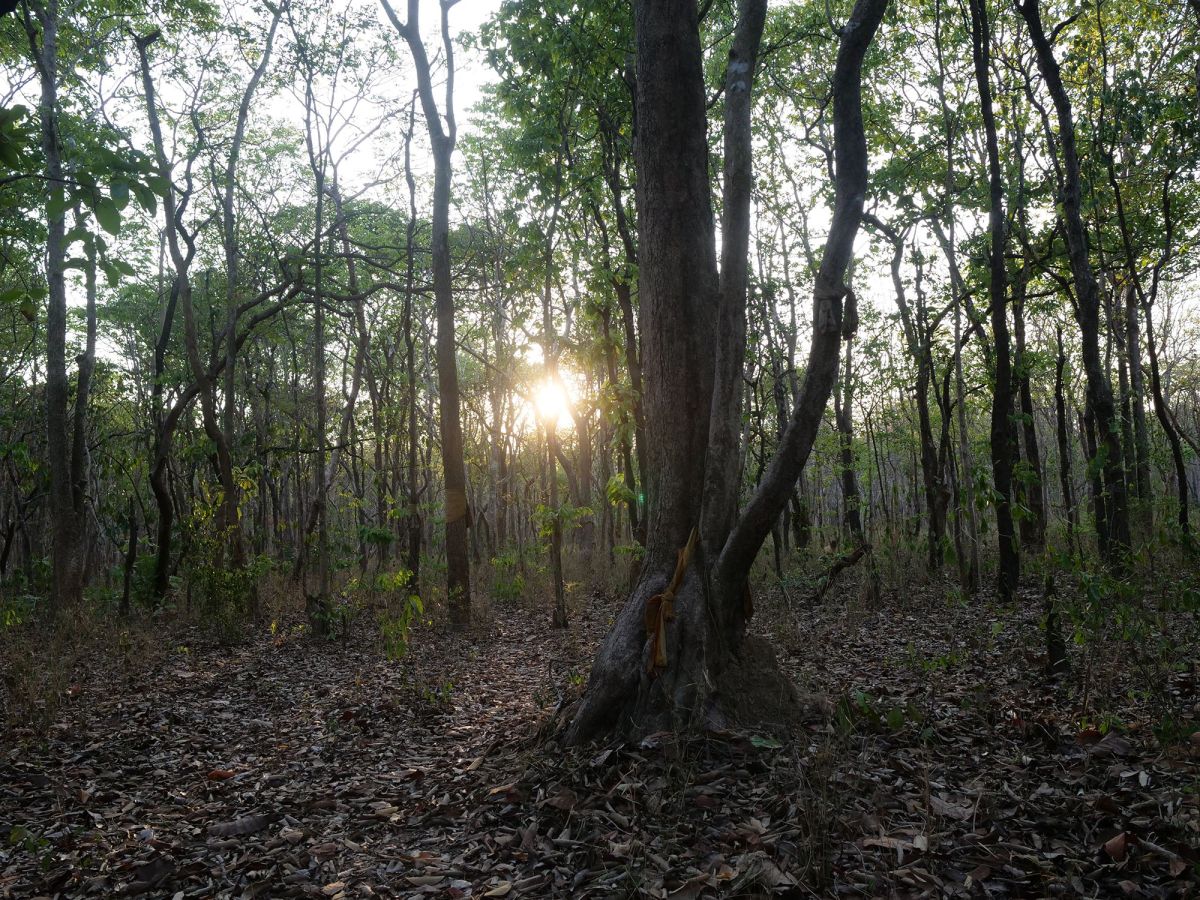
680, 308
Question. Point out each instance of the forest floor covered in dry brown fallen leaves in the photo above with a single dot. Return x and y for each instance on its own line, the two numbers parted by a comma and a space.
946, 765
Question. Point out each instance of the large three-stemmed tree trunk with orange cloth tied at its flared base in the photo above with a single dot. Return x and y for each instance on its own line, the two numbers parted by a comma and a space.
703, 670
